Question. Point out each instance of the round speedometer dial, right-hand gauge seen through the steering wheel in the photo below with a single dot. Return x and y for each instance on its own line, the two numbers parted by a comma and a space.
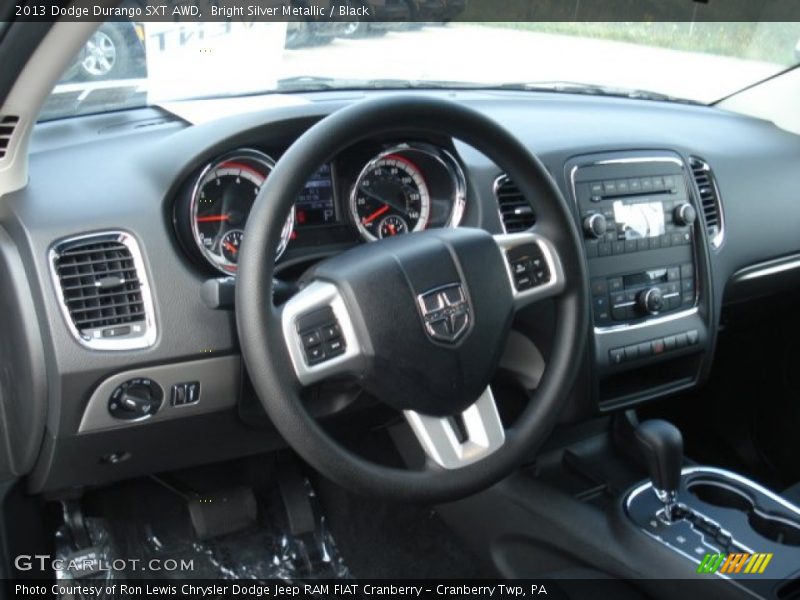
390, 197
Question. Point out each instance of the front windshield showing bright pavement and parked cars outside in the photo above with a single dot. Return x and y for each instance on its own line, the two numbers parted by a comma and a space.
127, 64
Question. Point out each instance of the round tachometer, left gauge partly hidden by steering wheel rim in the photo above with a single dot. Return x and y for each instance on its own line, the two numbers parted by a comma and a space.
221, 202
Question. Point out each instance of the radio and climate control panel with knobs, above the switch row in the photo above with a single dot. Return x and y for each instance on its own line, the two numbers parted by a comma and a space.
638, 223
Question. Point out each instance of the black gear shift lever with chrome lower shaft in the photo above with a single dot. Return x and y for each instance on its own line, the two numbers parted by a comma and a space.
662, 446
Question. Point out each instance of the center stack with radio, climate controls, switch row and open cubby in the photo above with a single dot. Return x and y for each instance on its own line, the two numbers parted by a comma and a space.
644, 242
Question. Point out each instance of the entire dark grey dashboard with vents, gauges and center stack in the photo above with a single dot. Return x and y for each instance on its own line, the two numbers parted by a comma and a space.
684, 208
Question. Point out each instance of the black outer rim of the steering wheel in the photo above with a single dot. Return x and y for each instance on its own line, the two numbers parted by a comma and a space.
259, 322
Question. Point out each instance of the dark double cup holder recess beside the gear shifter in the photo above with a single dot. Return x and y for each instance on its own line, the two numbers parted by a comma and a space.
776, 529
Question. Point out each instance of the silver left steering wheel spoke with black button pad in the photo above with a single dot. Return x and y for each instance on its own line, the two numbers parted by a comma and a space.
319, 334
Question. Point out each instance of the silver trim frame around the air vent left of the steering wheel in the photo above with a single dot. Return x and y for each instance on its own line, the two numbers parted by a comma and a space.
144, 339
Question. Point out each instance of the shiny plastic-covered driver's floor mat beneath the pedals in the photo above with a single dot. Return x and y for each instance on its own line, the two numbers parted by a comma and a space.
149, 527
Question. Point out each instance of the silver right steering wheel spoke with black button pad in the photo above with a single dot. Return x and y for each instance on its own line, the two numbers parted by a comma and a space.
534, 267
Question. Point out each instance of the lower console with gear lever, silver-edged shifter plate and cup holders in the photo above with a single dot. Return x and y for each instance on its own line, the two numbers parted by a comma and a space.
727, 525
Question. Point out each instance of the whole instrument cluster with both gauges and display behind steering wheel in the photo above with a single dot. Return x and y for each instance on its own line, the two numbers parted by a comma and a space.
365, 195
